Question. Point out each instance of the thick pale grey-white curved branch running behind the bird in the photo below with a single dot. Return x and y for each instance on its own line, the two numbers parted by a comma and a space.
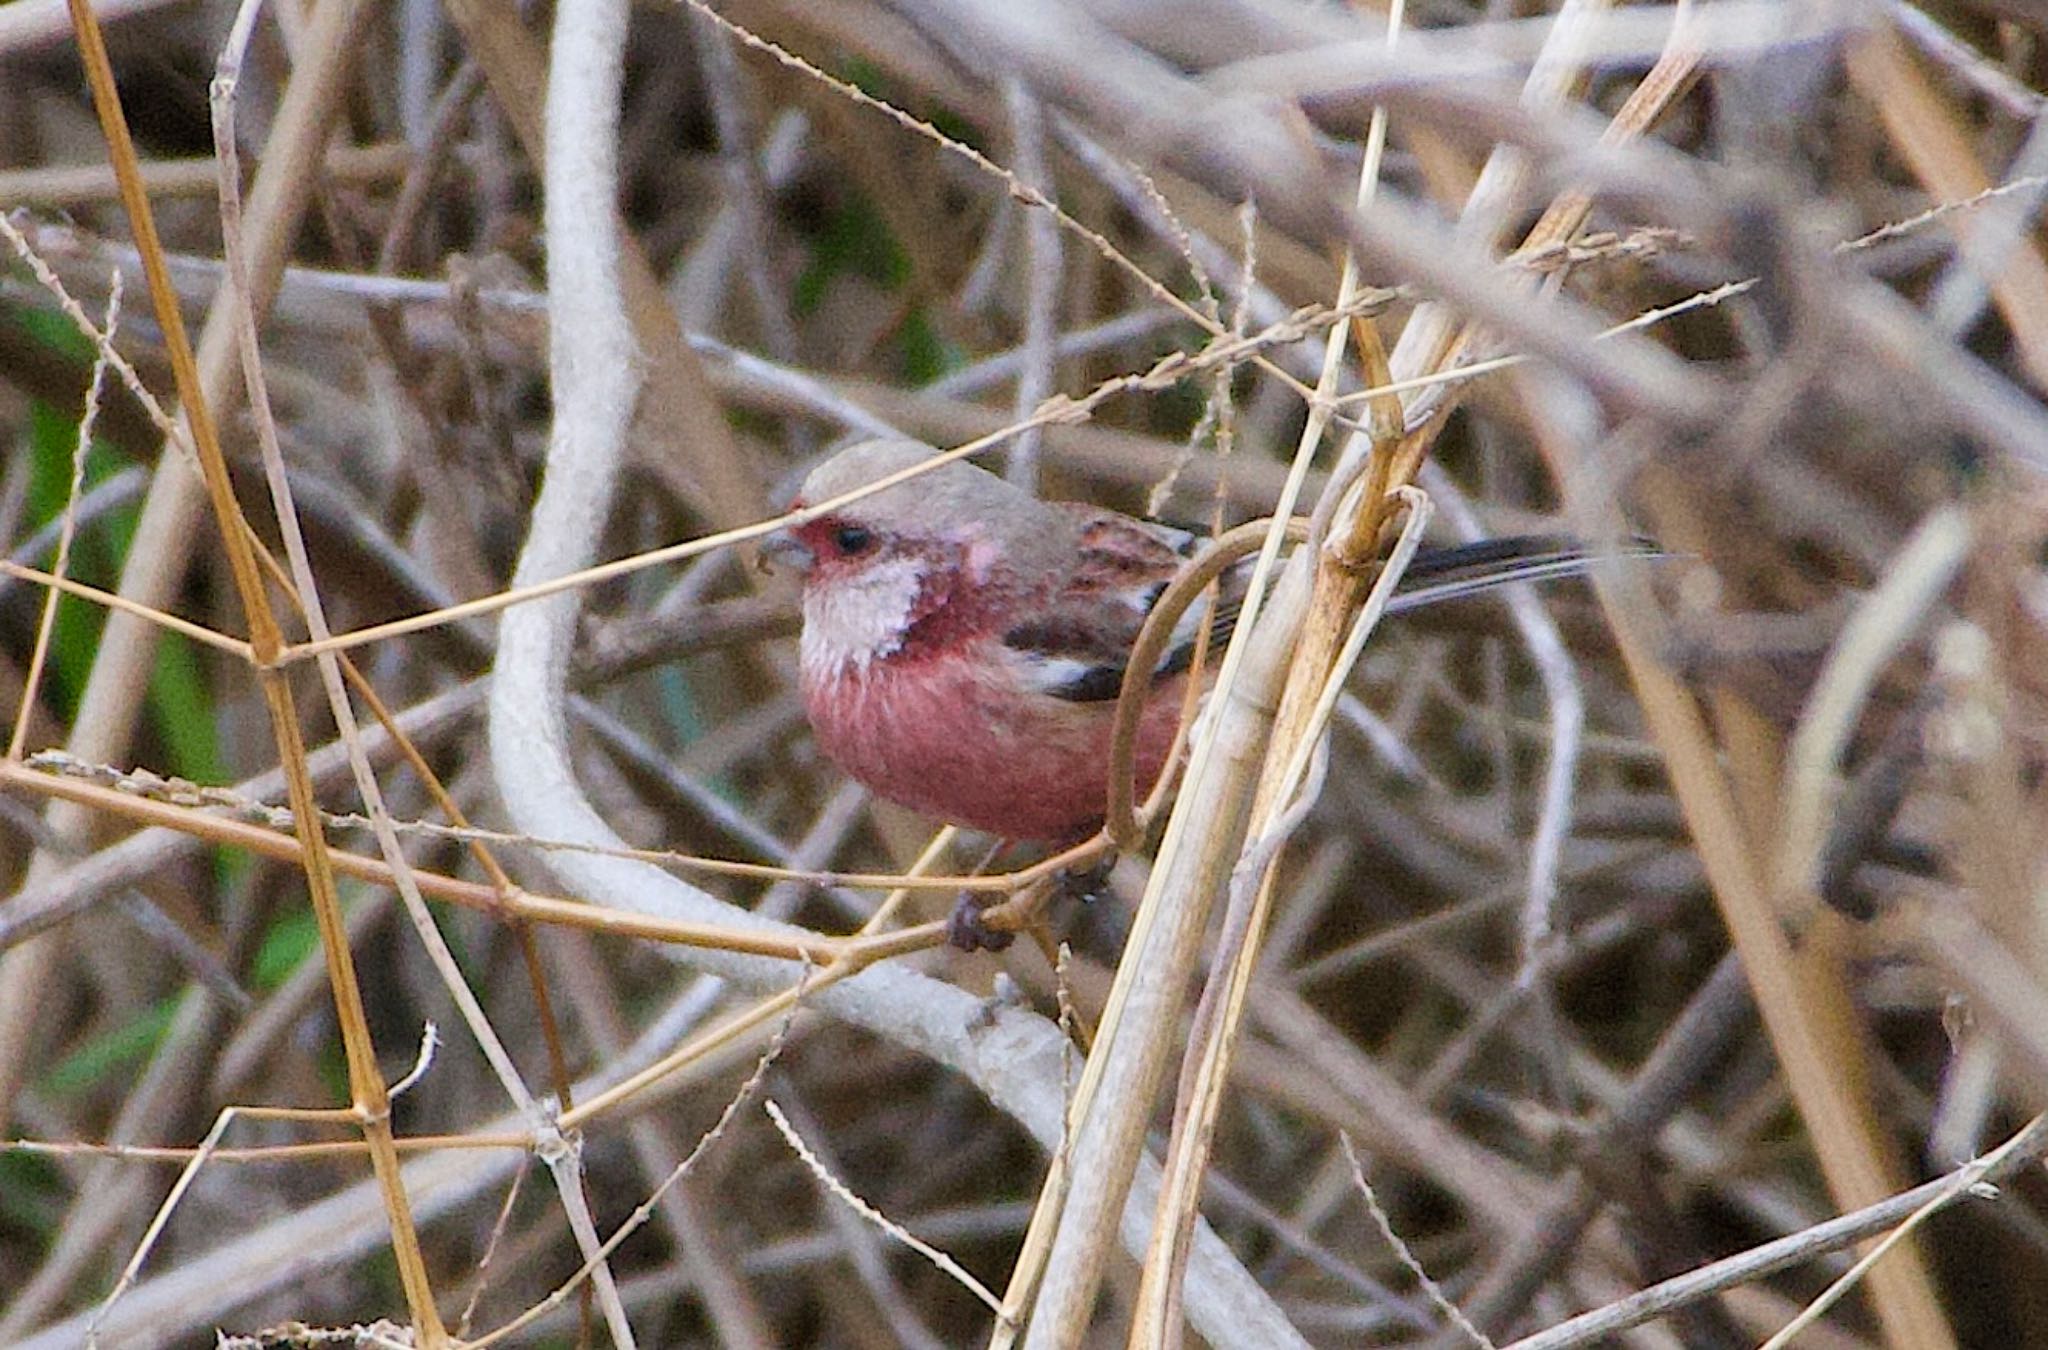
1013, 1058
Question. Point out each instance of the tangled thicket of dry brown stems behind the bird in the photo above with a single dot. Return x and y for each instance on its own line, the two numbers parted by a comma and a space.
1633, 925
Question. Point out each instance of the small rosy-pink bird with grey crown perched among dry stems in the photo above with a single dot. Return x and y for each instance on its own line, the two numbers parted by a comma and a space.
966, 642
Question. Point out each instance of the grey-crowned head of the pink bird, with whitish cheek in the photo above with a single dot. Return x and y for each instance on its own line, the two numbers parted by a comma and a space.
894, 558
